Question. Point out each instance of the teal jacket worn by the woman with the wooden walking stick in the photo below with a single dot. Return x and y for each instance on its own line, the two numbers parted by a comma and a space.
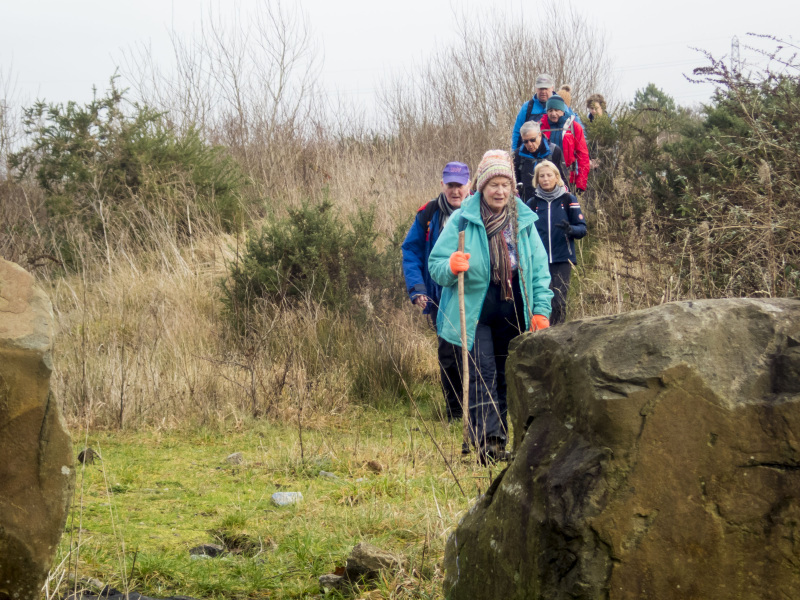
532, 259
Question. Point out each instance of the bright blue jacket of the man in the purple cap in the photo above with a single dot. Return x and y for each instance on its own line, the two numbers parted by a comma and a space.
416, 248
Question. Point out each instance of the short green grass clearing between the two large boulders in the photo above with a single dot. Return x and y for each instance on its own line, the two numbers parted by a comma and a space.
156, 494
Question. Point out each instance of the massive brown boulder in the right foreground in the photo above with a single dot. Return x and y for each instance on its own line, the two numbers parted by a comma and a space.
656, 456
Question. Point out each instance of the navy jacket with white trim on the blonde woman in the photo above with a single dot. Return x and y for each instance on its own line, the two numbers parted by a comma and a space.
559, 243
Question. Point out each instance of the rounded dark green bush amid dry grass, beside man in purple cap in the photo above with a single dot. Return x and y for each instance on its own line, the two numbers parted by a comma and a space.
309, 255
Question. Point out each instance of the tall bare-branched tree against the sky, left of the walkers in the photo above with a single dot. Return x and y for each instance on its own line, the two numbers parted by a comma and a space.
247, 82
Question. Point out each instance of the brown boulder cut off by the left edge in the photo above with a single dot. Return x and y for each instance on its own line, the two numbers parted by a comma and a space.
36, 467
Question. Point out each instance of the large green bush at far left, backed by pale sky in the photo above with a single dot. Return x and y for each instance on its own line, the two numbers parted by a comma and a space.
99, 161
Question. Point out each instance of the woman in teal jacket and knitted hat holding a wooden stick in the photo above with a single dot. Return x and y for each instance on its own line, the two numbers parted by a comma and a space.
506, 285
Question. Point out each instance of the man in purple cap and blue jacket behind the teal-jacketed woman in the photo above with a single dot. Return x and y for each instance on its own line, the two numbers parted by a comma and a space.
423, 291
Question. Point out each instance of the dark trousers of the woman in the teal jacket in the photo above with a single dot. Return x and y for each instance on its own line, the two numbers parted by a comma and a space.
500, 322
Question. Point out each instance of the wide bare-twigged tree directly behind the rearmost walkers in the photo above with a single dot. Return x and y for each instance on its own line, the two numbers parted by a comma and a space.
470, 93
